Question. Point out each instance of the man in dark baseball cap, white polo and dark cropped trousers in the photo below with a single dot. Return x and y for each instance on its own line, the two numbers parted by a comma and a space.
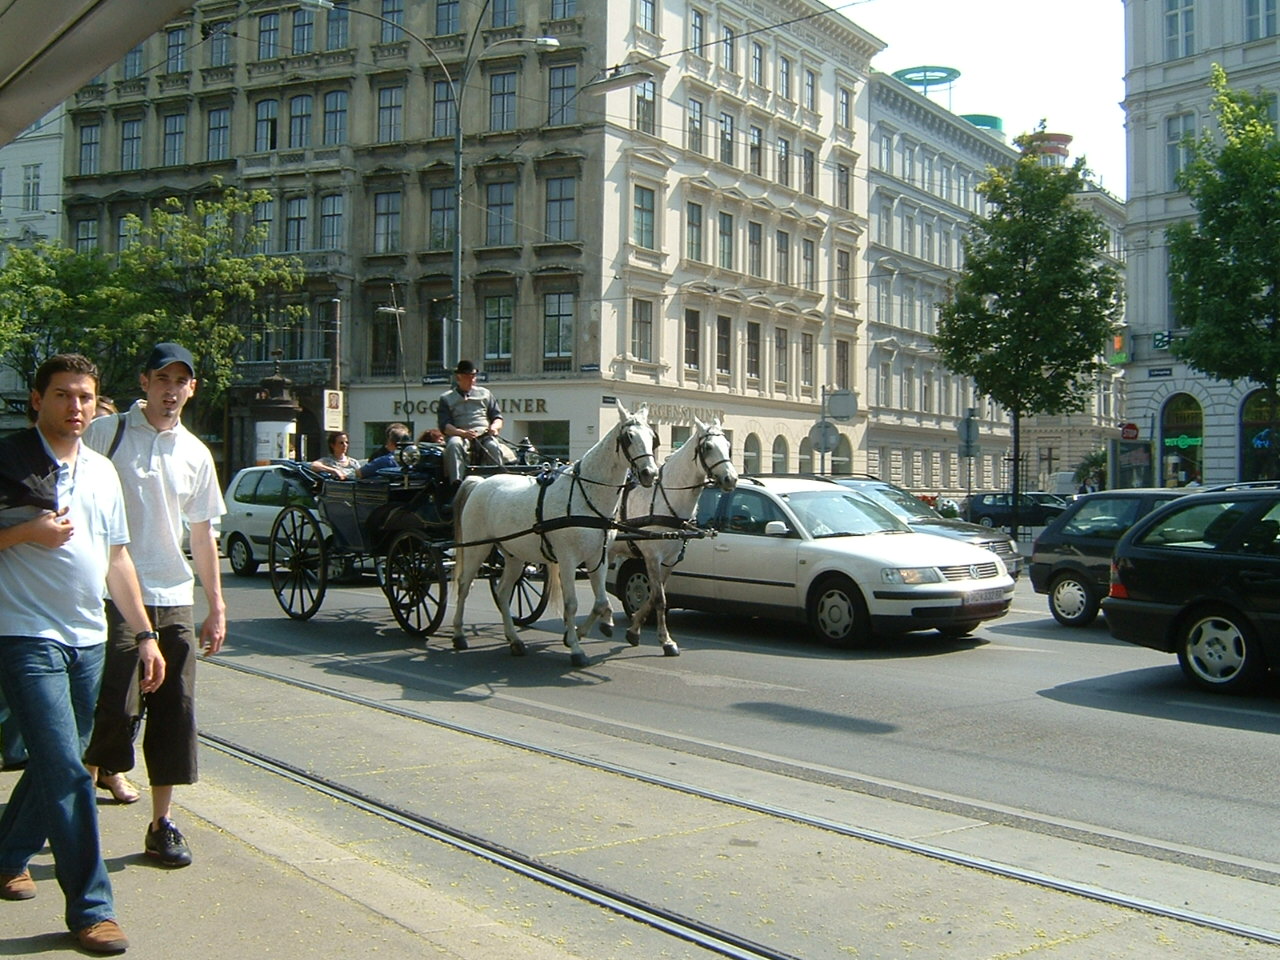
168, 478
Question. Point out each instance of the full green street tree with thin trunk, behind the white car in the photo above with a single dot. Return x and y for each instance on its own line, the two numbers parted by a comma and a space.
1036, 301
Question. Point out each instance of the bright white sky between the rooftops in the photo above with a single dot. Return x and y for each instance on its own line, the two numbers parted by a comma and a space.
1021, 61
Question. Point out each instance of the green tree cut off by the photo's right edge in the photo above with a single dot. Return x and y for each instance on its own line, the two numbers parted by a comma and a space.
1226, 264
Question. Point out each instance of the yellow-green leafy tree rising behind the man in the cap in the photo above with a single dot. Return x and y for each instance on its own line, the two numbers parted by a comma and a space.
205, 281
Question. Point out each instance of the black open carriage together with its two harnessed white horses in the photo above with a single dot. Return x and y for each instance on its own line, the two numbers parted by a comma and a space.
527, 528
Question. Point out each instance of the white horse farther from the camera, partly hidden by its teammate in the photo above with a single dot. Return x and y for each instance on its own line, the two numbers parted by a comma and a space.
668, 508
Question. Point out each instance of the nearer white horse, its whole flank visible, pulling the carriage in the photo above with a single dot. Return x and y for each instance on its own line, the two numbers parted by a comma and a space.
565, 523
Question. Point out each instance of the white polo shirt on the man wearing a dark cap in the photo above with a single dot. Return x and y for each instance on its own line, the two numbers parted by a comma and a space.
167, 477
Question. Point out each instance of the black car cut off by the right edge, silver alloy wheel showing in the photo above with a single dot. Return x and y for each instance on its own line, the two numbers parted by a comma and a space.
1201, 578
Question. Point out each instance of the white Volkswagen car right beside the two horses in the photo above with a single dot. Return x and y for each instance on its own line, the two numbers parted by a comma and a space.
813, 551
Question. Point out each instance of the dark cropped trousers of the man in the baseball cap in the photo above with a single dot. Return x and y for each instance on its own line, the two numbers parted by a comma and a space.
170, 728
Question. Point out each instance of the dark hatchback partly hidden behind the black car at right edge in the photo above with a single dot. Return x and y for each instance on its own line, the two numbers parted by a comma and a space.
1072, 557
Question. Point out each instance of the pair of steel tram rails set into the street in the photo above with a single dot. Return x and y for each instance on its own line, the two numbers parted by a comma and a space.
673, 924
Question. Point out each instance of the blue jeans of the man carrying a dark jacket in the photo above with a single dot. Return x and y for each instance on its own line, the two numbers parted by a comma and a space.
52, 691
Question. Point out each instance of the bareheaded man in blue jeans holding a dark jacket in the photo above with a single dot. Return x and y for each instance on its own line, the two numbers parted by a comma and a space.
62, 538
